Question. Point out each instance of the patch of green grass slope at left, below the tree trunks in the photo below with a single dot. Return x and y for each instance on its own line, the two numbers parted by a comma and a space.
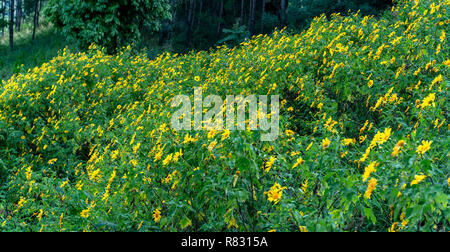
27, 53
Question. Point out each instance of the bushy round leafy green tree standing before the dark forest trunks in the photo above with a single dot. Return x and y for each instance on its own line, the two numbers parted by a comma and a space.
108, 23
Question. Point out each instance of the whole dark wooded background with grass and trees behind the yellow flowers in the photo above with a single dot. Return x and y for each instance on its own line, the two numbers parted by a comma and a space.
32, 31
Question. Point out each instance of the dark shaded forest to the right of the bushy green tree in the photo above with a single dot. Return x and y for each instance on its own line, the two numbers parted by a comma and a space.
201, 24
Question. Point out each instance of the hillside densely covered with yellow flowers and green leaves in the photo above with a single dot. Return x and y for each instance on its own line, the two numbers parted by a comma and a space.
86, 141
